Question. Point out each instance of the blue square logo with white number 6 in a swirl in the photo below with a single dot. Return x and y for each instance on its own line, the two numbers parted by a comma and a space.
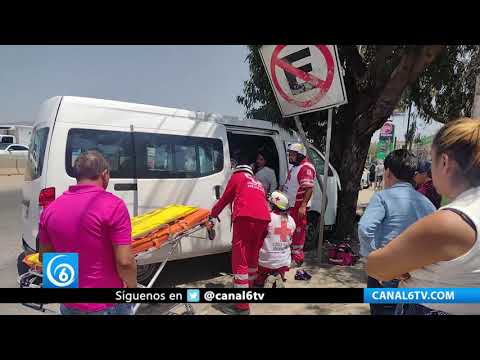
60, 270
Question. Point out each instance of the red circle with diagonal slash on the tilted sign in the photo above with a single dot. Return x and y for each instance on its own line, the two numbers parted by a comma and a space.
322, 85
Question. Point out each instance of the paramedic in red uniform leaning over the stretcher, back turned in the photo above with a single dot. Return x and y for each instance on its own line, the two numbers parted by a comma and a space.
250, 219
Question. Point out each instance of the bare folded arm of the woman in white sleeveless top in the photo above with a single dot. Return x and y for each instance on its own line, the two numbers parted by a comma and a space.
441, 236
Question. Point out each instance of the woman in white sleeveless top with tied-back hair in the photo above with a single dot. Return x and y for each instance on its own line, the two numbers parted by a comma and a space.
442, 249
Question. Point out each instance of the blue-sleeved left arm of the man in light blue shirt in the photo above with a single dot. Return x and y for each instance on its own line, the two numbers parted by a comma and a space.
368, 224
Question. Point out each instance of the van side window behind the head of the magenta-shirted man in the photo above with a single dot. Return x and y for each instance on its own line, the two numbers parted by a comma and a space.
115, 146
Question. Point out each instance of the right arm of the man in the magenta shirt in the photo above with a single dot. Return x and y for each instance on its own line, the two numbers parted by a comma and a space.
121, 236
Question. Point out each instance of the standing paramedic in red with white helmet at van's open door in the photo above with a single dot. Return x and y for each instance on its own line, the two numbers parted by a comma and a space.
299, 189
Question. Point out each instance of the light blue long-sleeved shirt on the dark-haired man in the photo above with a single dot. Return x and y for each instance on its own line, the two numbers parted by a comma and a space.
389, 213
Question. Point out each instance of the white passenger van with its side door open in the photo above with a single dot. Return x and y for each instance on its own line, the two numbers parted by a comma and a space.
158, 156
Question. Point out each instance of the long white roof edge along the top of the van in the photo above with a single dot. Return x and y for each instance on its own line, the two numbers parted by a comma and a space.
160, 110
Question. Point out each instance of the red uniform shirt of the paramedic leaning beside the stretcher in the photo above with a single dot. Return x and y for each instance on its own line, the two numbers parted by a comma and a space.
248, 197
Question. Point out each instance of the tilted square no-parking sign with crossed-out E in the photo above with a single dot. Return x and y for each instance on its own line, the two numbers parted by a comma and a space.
304, 78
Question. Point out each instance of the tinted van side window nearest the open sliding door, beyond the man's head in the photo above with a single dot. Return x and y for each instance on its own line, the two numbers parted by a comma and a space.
161, 156
